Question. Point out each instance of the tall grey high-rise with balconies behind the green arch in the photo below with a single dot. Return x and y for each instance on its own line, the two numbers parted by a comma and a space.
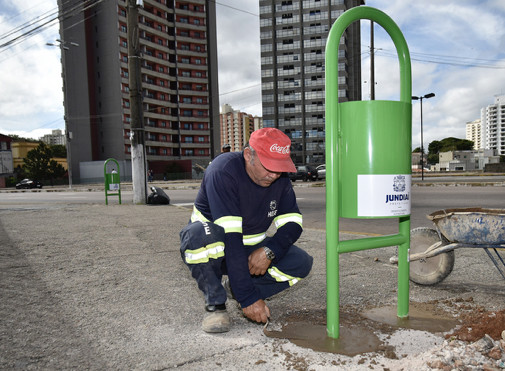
293, 39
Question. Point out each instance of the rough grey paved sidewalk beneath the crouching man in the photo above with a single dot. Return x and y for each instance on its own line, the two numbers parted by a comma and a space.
104, 288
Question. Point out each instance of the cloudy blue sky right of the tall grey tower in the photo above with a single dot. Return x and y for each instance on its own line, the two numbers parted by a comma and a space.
450, 43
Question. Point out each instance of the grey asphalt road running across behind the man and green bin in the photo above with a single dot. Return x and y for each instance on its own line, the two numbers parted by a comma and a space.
311, 200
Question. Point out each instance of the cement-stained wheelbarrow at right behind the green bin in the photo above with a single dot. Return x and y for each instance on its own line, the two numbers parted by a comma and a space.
432, 250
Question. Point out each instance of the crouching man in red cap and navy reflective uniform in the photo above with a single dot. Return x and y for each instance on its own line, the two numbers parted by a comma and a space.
241, 194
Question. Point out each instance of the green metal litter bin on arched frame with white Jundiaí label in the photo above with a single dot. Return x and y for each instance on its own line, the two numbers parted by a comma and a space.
368, 163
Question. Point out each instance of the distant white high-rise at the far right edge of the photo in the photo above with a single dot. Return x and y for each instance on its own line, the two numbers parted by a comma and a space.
493, 125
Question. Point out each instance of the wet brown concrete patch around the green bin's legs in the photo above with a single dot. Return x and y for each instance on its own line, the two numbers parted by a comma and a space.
362, 331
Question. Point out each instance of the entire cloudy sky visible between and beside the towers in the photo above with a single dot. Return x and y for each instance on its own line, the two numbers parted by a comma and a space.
457, 49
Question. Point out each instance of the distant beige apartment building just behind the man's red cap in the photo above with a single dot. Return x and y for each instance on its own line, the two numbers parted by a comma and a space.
236, 127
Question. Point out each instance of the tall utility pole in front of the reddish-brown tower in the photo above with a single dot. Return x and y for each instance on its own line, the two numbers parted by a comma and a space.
137, 135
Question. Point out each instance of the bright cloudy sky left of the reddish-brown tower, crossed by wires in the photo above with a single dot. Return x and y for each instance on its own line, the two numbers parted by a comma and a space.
32, 99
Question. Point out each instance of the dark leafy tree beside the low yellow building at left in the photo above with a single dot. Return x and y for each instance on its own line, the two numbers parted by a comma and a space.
40, 165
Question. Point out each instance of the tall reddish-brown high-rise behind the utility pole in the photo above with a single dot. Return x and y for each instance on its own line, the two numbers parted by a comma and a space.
178, 80
